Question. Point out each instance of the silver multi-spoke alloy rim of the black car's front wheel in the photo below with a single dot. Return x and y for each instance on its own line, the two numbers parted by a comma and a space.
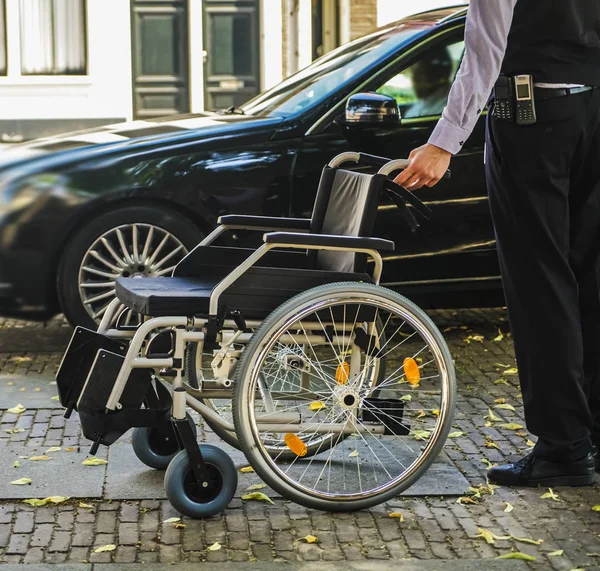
129, 250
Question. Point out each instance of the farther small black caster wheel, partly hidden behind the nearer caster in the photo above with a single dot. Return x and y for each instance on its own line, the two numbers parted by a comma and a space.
156, 446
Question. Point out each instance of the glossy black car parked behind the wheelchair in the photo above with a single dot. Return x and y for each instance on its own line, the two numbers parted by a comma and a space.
79, 210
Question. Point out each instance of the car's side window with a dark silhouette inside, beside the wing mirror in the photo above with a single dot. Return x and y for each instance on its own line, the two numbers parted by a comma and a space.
421, 90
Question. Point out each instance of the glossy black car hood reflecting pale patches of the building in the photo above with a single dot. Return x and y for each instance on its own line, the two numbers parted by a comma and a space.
50, 152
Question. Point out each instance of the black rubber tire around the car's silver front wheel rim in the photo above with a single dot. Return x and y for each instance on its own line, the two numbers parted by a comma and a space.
69, 296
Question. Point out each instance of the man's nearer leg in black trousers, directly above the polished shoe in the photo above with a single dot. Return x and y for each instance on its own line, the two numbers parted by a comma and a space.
528, 171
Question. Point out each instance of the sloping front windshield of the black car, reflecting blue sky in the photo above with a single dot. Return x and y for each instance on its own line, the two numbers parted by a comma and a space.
329, 73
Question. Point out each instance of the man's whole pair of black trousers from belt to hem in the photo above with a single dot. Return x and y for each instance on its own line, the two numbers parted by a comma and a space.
544, 190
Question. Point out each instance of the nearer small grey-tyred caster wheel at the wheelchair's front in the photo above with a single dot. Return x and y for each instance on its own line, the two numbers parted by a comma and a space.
192, 499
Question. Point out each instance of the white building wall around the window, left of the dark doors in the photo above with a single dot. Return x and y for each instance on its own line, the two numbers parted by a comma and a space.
103, 94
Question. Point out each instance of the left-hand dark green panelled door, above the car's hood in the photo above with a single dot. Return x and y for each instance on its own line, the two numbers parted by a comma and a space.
160, 57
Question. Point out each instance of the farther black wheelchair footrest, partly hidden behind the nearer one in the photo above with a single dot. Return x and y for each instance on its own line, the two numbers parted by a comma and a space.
78, 360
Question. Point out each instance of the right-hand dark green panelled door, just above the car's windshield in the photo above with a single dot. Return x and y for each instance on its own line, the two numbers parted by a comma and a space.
232, 45
